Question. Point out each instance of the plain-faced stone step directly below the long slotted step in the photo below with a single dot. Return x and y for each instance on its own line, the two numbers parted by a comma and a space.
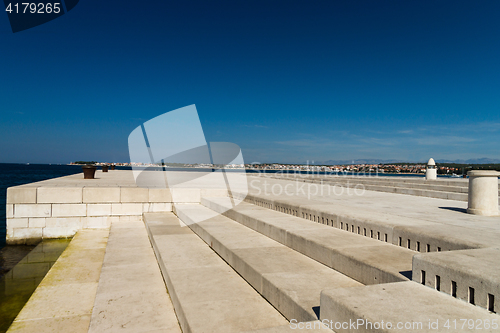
366, 260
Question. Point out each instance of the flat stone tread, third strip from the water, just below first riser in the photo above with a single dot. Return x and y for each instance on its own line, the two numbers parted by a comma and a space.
208, 295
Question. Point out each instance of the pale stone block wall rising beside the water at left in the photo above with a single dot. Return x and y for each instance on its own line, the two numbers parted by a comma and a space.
40, 212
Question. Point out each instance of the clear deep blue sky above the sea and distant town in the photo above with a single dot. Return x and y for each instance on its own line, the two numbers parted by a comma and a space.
288, 81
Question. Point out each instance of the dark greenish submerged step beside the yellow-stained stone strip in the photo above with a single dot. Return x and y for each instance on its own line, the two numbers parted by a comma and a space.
17, 285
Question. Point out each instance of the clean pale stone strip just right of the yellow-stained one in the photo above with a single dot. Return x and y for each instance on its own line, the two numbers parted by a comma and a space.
131, 296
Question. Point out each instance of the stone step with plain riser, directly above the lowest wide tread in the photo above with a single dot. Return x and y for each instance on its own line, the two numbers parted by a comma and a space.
289, 280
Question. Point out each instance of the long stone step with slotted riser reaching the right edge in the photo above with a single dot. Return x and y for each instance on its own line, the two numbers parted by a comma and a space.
412, 233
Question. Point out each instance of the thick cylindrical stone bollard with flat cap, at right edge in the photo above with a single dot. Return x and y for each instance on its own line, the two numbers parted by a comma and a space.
483, 192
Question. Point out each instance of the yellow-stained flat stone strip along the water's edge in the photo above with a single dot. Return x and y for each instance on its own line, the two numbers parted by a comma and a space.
64, 299
